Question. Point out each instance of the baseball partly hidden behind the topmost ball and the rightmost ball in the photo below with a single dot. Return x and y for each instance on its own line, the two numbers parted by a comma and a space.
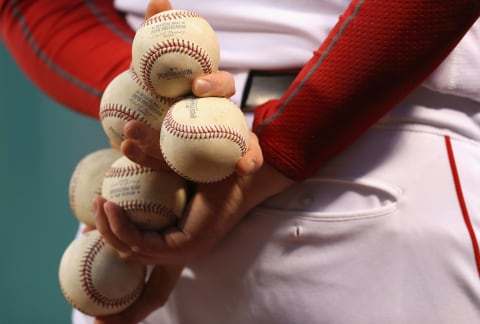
126, 98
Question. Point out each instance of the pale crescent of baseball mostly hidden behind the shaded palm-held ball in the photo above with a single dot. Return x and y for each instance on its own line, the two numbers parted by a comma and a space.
86, 182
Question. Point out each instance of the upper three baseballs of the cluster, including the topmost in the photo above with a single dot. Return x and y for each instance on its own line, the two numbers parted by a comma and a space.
201, 138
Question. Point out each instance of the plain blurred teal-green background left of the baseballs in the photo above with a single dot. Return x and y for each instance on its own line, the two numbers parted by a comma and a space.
40, 144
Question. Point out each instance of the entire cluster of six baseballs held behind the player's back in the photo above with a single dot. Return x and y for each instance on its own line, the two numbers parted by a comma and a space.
201, 140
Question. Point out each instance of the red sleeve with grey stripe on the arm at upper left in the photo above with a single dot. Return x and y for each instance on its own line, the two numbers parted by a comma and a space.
71, 49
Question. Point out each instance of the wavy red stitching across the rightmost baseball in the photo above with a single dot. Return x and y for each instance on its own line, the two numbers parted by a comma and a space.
204, 132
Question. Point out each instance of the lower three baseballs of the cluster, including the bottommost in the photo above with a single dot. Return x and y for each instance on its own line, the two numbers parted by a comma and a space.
93, 277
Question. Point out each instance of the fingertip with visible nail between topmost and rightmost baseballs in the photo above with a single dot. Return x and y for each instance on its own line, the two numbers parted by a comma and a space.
216, 84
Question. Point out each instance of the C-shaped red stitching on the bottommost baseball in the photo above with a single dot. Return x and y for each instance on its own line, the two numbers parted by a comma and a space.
89, 286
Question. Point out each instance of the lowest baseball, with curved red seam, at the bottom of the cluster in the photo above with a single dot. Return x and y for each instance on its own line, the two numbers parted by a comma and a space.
95, 280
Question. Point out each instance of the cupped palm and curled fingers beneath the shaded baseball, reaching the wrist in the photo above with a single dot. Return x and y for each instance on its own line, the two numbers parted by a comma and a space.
214, 210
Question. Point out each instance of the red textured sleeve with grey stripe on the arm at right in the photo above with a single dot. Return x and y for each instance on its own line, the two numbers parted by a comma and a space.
377, 53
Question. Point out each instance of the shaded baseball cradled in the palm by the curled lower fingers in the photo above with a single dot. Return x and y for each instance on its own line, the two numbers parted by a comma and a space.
152, 199
